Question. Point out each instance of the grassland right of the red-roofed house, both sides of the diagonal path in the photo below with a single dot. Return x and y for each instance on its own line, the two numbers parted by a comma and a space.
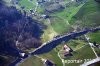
79, 54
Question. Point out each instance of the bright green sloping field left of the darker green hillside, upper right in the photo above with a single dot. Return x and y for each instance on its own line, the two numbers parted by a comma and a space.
68, 12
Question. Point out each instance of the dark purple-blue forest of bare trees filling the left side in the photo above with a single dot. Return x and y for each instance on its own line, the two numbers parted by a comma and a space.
14, 23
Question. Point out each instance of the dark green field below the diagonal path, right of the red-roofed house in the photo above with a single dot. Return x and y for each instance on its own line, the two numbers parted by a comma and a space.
84, 53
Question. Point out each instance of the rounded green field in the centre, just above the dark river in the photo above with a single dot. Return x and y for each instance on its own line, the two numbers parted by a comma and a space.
60, 25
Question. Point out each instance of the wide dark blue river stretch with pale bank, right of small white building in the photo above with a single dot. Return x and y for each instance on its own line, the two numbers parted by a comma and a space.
48, 46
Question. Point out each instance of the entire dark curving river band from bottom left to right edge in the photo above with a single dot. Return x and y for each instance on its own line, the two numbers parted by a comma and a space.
48, 46
